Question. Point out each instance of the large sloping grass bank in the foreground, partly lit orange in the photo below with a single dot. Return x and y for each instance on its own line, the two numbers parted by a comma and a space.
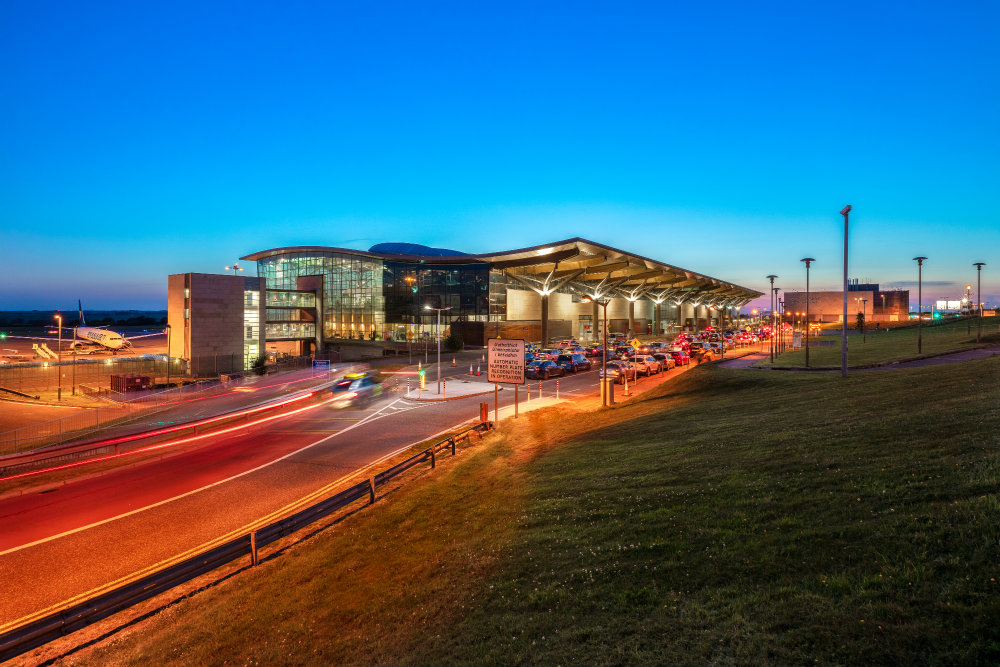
724, 517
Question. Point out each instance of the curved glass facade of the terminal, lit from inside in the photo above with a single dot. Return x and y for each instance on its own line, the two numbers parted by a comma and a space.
372, 298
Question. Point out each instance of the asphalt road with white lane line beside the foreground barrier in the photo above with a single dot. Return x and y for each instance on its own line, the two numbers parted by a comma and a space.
64, 541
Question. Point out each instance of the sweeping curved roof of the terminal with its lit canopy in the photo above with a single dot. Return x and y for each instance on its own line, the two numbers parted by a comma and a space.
584, 266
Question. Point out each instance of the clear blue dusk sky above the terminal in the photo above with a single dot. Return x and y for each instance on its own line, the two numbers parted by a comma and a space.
139, 140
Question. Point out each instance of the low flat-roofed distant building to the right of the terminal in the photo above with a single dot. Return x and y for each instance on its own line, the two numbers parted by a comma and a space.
878, 305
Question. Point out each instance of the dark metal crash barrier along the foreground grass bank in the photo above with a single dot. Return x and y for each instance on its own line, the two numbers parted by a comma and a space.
33, 632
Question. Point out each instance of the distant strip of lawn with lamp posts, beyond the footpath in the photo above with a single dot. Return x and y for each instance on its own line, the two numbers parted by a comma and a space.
898, 343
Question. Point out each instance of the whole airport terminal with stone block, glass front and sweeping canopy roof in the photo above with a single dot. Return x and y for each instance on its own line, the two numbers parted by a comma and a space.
311, 299
